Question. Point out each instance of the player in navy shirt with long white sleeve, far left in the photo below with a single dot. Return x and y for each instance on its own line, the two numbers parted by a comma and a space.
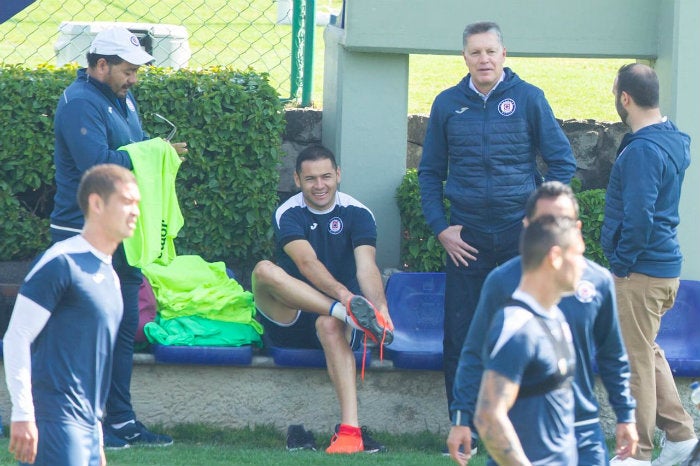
60, 341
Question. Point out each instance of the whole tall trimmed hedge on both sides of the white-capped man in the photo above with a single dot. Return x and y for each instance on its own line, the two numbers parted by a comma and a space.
232, 121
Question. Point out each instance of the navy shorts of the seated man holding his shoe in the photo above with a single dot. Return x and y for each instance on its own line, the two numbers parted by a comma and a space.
300, 334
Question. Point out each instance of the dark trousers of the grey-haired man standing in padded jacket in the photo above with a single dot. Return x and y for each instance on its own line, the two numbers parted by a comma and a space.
463, 287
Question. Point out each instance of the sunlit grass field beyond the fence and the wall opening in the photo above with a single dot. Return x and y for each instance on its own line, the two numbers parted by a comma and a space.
243, 33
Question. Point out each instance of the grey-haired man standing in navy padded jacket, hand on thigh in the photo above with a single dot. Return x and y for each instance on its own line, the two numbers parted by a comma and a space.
482, 140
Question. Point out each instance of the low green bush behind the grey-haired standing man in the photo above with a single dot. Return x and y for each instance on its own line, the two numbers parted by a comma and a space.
422, 252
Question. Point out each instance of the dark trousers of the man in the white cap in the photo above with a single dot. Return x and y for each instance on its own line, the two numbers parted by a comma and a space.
119, 407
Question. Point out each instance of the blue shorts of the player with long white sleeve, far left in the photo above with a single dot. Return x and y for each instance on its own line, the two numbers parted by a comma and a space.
67, 444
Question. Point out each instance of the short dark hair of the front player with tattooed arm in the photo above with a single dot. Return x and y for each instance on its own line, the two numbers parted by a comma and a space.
543, 234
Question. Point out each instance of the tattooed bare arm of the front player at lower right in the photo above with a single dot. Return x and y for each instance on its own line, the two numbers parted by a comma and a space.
496, 396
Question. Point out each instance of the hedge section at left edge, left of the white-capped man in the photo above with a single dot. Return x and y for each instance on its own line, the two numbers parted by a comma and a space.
29, 100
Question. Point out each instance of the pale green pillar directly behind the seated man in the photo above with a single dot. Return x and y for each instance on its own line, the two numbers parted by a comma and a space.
365, 106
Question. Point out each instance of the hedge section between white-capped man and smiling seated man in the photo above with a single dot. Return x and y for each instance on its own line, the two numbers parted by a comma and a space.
233, 123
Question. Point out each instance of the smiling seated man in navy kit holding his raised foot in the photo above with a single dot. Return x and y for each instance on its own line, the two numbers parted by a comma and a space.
311, 298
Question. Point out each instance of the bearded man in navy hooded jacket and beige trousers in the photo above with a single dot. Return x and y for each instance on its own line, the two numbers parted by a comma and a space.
640, 239
